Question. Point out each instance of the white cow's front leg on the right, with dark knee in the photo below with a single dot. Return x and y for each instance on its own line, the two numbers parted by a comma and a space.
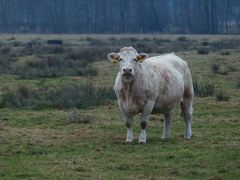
144, 120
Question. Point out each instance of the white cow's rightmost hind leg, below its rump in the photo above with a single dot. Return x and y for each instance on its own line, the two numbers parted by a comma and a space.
186, 108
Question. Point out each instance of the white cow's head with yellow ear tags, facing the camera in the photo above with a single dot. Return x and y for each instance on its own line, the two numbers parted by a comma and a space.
129, 60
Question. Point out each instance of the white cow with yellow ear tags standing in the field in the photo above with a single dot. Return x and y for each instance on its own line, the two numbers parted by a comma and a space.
156, 84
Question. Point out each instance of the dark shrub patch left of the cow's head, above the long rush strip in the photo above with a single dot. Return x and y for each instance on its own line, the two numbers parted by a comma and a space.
72, 63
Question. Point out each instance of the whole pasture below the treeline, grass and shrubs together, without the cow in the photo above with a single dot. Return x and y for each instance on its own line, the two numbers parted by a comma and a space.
40, 141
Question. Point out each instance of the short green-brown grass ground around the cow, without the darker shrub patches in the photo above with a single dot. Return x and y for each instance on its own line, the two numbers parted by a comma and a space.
43, 143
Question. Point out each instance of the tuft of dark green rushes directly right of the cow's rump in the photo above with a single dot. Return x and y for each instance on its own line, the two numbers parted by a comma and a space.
203, 88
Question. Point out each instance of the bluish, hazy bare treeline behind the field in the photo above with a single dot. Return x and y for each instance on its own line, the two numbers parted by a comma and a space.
120, 16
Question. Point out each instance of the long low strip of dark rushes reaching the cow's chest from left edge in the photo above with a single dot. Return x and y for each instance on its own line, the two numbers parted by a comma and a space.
65, 96
